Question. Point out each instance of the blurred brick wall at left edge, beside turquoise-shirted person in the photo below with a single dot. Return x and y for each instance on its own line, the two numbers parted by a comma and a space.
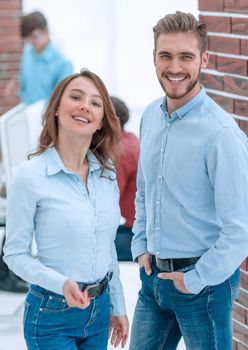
10, 47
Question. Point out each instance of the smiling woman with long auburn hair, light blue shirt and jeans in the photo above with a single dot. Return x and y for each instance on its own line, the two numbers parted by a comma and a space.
67, 197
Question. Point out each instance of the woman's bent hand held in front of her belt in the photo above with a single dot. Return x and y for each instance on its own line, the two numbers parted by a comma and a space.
74, 296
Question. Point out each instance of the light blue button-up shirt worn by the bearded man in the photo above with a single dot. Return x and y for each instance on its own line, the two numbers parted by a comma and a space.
192, 189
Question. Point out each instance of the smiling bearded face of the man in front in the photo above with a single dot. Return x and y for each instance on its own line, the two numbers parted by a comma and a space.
178, 63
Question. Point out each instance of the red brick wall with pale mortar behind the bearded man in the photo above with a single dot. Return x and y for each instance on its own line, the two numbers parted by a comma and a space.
226, 80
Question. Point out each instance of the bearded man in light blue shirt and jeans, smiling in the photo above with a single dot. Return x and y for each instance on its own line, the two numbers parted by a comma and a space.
191, 228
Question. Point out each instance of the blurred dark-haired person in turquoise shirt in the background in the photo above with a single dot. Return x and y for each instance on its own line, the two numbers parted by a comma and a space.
42, 64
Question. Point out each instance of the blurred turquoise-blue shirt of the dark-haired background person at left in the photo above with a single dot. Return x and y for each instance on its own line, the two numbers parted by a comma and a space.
40, 73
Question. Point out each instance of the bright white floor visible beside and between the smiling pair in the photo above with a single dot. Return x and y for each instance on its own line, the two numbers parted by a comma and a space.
11, 308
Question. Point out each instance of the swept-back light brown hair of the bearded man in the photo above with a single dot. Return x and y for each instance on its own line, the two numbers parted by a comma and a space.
181, 22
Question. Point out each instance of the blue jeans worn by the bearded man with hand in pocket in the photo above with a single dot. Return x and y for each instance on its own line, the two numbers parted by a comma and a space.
163, 314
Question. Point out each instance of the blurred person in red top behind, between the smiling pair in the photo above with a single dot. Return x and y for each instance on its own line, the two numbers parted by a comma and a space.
126, 176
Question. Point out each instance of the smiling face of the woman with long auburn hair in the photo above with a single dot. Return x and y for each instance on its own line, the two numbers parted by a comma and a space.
80, 110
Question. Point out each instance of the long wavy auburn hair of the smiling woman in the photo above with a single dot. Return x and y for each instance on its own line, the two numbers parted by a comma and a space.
104, 143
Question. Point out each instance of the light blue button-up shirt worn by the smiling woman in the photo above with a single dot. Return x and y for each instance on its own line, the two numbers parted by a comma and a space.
74, 226
